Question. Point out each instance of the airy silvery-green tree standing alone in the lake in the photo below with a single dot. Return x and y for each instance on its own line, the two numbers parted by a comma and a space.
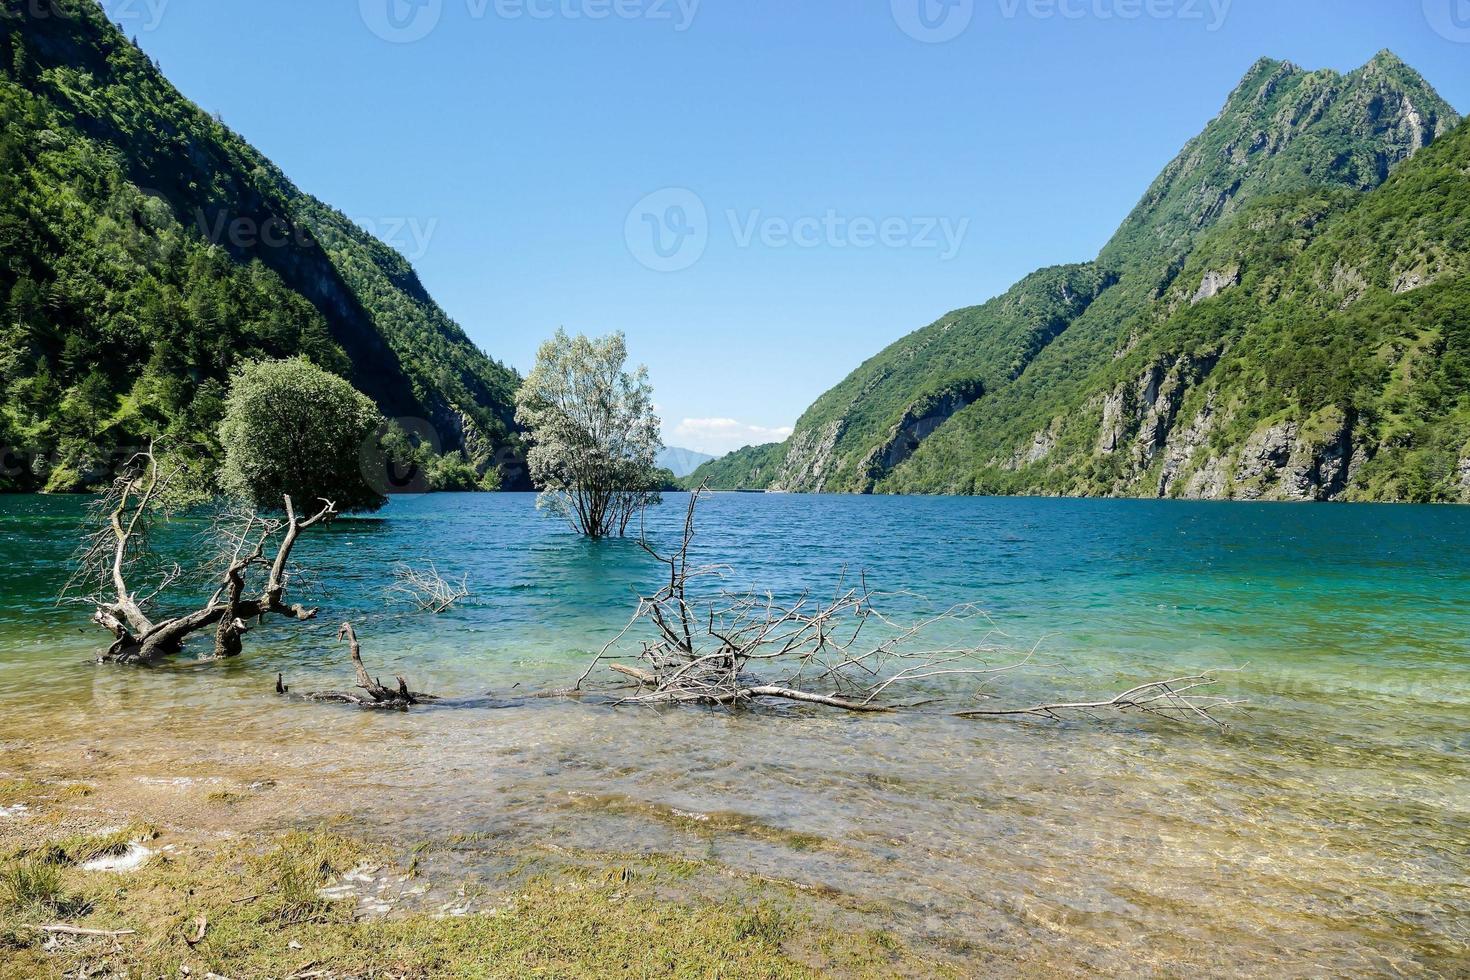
595, 434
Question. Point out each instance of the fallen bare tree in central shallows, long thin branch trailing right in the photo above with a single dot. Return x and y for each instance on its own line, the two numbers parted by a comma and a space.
696, 643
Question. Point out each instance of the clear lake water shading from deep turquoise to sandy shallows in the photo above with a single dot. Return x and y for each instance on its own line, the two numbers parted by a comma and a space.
1328, 831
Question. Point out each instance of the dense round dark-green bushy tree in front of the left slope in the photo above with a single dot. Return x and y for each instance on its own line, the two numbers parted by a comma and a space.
295, 430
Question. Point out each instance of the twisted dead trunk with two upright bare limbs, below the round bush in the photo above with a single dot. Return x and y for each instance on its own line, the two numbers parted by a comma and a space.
252, 568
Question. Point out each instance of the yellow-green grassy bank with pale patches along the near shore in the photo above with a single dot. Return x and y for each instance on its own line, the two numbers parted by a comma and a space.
324, 904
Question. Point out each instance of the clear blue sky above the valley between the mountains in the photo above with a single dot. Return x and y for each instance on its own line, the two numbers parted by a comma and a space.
824, 176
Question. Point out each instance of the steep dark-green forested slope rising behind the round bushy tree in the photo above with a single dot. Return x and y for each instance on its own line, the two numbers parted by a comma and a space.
146, 251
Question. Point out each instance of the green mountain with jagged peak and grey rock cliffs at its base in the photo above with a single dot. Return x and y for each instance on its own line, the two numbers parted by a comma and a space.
1280, 318
